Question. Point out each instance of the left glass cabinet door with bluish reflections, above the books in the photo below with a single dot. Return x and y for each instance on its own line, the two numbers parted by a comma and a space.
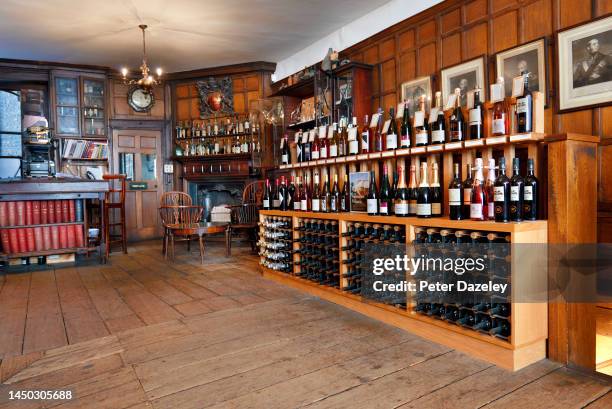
67, 106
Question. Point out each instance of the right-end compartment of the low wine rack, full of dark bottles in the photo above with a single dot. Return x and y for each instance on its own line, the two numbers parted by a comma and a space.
486, 315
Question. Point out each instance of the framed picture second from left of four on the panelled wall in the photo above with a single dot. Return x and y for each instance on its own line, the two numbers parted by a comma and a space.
465, 76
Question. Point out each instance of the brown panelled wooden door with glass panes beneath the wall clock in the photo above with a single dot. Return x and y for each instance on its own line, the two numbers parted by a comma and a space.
137, 154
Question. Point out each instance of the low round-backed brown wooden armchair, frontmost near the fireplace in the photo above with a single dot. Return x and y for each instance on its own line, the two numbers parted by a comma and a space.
176, 220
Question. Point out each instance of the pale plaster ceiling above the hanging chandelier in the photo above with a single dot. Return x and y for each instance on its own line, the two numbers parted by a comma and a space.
182, 34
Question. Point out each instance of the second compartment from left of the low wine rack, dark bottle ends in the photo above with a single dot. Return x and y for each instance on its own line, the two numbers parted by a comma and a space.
317, 252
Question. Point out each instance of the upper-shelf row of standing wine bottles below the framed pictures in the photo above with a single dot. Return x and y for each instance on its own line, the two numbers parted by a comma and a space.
422, 129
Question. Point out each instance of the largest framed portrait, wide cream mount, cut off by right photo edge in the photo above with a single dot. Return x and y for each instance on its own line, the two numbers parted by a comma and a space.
584, 61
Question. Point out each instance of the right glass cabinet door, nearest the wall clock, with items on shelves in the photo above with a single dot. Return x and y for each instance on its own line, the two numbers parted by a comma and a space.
94, 119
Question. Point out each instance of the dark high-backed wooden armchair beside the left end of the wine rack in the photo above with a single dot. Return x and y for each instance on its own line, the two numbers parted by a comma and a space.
246, 215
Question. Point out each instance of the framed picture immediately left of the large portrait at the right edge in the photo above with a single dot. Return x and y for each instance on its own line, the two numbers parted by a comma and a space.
529, 57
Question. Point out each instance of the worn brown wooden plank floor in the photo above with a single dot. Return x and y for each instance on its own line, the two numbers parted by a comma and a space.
141, 332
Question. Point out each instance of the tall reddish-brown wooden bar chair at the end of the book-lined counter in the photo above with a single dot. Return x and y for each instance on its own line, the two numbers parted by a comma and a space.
114, 200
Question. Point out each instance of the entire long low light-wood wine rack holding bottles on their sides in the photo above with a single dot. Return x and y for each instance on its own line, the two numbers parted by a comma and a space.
511, 335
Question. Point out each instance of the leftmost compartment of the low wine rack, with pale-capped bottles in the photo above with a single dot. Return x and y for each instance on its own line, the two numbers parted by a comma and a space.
275, 239
